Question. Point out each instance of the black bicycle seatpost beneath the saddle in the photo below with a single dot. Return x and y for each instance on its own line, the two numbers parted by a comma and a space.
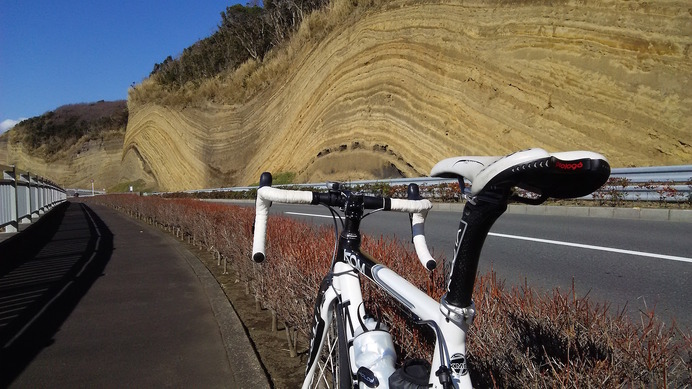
478, 217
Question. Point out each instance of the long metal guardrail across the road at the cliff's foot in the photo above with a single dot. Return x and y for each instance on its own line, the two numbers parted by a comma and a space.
668, 183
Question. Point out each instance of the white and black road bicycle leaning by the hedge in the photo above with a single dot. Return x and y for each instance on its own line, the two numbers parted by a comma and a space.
347, 347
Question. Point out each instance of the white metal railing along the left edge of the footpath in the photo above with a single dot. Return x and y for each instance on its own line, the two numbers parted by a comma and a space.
24, 197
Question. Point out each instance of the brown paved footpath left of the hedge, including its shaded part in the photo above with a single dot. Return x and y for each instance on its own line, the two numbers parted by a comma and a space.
93, 298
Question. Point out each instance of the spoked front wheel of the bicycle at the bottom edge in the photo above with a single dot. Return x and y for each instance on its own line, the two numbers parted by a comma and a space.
333, 370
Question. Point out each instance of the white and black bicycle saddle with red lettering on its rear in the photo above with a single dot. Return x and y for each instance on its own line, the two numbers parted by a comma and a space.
558, 175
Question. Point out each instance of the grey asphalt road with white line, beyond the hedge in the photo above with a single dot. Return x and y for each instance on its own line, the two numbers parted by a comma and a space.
631, 264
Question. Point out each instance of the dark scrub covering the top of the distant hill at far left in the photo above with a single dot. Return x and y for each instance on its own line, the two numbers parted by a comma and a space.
55, 131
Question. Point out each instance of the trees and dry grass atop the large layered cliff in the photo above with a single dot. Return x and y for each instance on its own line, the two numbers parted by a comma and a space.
250, 50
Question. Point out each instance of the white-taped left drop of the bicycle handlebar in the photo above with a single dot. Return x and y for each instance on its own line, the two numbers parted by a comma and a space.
265, 196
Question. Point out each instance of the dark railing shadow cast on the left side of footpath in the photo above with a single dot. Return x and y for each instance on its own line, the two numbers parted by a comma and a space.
44, 273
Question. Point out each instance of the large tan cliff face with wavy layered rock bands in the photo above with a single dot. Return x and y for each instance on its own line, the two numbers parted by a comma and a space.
408, 84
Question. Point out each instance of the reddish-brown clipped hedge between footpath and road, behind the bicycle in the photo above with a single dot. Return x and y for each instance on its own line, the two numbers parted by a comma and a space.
520, 338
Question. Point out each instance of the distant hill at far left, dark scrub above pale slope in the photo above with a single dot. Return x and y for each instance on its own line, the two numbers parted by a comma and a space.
75, 144
